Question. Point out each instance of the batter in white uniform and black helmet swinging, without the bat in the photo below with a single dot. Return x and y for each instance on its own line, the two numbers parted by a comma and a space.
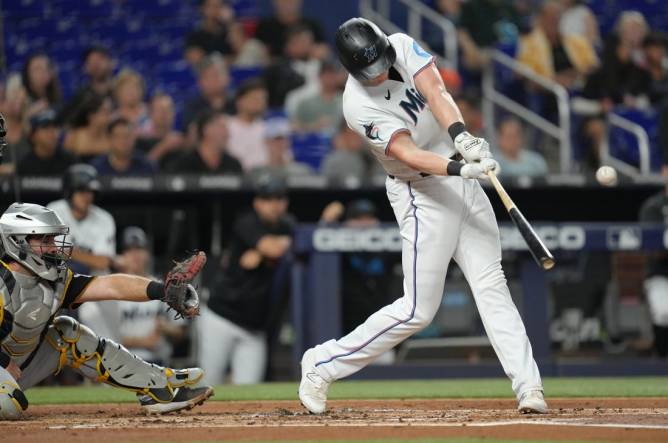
396, 99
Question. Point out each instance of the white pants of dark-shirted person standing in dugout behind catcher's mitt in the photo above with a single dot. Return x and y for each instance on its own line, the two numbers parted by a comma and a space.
223, 344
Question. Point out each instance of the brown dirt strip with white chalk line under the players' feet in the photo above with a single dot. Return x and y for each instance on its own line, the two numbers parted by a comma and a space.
611, 419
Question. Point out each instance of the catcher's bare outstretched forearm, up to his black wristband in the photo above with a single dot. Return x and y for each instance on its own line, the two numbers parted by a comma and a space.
116, 287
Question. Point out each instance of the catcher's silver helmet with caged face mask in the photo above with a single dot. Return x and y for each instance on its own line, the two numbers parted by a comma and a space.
36, 237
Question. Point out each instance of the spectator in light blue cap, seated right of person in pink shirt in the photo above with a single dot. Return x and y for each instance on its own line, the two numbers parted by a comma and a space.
279, 148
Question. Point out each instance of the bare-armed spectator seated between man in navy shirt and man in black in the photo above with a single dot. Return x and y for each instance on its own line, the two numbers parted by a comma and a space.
158, 139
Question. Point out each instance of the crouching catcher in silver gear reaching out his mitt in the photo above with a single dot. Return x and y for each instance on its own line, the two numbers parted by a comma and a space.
35, 283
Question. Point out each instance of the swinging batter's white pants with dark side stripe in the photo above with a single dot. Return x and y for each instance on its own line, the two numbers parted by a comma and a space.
440, 218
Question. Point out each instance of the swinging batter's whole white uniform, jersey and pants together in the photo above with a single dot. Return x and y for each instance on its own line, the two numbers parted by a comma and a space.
440, 218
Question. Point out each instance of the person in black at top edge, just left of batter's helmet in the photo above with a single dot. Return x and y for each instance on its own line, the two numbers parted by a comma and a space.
273, 31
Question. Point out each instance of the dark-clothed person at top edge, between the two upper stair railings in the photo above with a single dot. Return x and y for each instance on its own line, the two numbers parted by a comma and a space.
483, 24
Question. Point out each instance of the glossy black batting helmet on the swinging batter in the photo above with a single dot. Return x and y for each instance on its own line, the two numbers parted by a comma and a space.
364, 50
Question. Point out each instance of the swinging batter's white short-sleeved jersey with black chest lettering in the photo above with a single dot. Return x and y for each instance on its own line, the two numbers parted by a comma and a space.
381, 112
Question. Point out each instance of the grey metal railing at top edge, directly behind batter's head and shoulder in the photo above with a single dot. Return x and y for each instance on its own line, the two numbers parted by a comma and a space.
379, 11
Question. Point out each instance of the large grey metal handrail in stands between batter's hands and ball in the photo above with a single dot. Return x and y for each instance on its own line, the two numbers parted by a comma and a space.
491, 96
